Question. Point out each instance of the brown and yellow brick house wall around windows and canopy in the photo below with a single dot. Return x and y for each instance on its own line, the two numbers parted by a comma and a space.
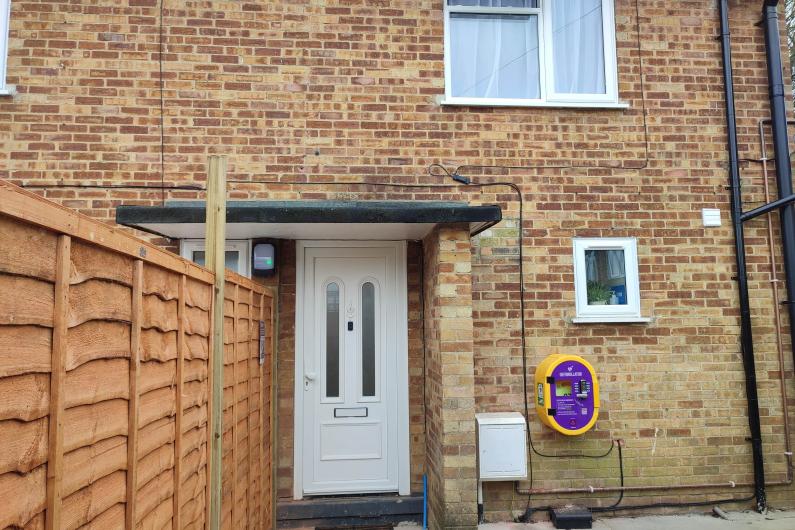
346, 91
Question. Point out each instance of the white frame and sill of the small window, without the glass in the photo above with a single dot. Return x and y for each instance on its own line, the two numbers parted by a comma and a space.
586, 313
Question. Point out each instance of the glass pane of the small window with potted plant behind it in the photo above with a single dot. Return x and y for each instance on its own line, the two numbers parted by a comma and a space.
605, 271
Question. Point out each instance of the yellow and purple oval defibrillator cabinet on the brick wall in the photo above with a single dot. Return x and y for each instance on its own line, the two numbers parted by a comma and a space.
567, 394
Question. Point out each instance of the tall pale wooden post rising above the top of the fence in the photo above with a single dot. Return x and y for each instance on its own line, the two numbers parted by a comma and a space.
215, 242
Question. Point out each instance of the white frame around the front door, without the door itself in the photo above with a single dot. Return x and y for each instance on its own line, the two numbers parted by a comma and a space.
401, 287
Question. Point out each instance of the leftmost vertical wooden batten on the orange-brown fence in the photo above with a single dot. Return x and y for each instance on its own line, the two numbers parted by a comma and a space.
57, 376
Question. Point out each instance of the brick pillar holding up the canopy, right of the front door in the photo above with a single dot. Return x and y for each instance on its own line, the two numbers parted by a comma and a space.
450, 457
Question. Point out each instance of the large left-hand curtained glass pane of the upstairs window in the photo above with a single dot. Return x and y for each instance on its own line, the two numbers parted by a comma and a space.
494, 56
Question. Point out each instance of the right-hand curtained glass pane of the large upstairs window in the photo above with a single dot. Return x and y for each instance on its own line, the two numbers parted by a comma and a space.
578, 47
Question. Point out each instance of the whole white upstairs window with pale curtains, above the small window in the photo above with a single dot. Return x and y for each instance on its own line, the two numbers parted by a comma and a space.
530, 53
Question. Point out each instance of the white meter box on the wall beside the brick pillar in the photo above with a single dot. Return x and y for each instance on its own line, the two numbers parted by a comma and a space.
502, 446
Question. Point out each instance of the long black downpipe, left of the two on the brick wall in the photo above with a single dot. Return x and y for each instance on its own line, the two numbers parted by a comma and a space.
746, 334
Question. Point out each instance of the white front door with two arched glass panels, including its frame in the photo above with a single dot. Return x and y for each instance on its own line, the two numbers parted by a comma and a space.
353, 341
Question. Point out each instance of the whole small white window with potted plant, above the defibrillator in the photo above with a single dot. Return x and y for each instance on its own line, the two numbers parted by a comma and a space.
606, 280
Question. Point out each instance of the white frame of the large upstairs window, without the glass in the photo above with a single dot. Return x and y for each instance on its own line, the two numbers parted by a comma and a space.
546, 65
